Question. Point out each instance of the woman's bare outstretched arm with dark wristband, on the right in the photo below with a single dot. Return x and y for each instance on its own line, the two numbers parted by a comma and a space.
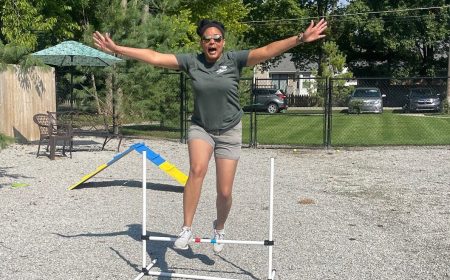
312, 33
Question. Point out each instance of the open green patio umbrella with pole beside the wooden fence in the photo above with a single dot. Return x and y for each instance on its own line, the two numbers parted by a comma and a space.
71, 53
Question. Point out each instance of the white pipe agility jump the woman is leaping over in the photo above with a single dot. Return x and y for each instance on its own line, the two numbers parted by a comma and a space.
147, 266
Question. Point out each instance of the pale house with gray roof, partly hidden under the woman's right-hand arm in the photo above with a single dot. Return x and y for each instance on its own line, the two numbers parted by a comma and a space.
283, 74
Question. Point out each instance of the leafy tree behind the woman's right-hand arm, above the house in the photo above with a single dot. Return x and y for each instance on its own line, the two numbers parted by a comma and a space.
273, 20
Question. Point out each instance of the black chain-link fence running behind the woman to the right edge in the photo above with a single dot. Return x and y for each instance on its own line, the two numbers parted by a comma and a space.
318, 115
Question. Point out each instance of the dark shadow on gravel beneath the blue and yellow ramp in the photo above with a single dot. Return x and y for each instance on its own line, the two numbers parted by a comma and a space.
132, 183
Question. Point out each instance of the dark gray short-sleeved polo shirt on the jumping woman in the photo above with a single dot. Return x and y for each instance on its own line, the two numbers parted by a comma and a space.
215, 85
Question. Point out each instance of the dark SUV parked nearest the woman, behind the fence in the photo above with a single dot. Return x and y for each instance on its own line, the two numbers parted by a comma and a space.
267, 99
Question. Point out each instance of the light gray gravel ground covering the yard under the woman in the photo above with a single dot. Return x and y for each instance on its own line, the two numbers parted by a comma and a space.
375, 213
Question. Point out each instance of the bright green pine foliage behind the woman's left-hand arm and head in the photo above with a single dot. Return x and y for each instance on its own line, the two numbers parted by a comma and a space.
166, 26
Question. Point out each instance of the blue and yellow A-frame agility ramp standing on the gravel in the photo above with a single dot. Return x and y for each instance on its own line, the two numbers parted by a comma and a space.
159, 161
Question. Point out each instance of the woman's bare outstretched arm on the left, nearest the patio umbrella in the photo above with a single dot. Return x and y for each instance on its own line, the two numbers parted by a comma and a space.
104, 42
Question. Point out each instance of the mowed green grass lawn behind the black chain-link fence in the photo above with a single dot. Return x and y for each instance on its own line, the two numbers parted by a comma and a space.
389, 128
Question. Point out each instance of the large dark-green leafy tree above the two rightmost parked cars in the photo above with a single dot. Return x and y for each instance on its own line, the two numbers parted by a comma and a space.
395, 38
